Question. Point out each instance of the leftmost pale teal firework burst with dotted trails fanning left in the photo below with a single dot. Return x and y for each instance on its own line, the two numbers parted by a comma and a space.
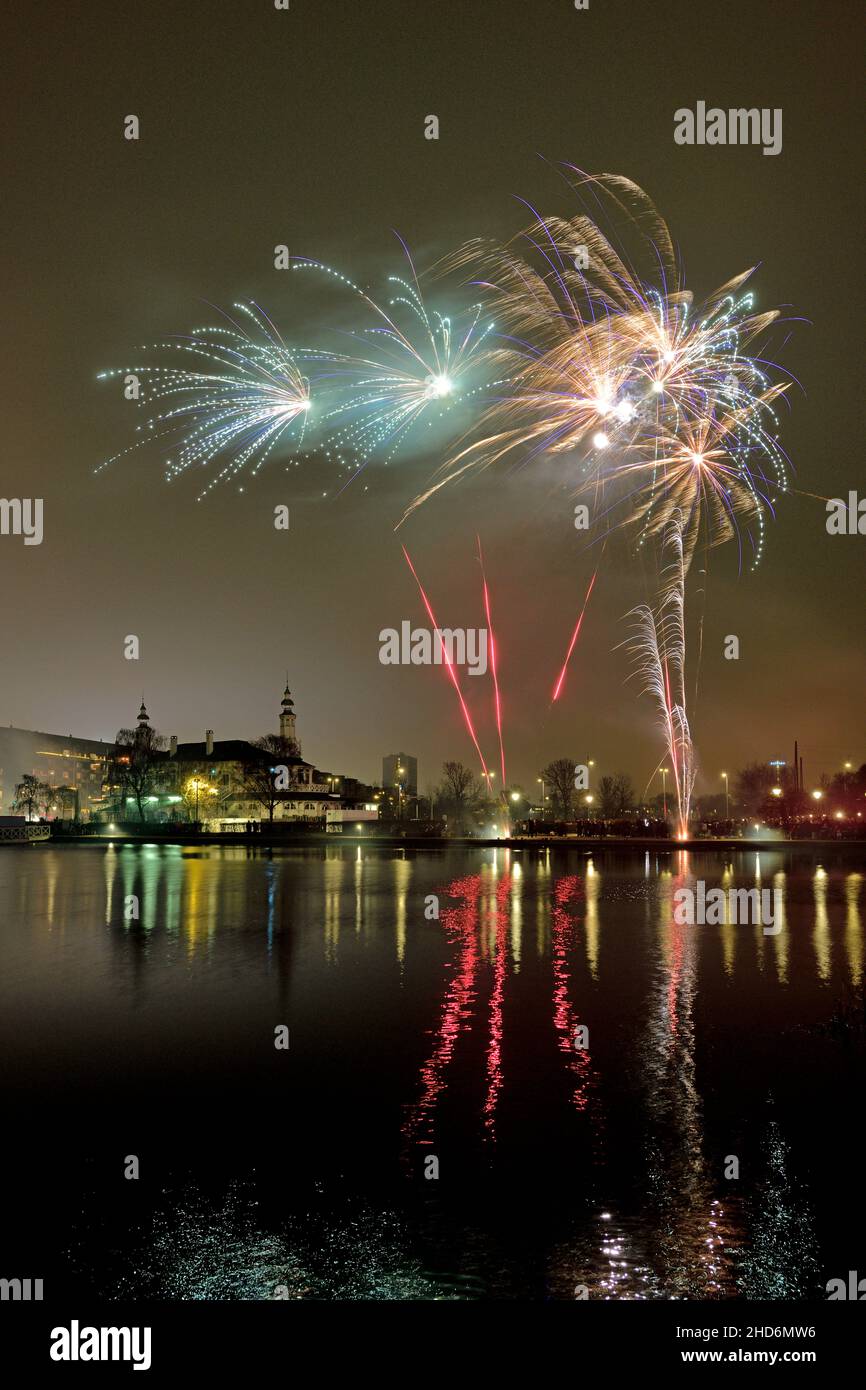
237, 400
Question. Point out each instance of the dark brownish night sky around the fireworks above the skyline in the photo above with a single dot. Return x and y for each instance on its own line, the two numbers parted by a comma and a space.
262, 127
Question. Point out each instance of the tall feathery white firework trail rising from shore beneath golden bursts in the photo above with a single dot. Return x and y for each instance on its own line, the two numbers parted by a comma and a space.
658, 650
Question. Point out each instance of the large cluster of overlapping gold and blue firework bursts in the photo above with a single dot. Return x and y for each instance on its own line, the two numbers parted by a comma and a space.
654, 408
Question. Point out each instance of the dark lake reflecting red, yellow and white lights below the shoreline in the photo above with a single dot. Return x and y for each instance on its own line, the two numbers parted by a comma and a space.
509, 1075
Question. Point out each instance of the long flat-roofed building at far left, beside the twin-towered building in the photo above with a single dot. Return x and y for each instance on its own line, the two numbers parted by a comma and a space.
76, 767
